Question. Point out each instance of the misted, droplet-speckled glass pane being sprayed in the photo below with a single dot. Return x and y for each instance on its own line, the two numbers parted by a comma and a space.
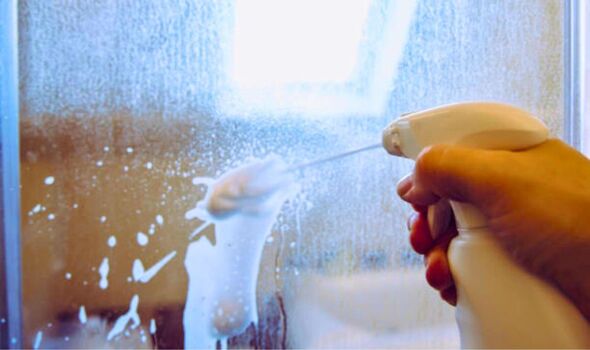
123, 103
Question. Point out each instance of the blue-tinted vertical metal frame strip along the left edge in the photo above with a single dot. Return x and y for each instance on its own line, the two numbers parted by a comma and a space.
10, 257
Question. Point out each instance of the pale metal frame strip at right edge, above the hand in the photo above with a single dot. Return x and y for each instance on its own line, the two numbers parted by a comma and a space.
572, 74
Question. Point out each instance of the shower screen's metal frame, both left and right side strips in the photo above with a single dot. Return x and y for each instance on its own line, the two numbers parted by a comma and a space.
574, 94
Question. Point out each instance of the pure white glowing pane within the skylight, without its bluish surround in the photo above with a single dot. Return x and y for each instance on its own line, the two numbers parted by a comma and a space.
280, 42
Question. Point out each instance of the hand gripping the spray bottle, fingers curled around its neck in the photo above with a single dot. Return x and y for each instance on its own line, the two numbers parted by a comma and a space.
536, 201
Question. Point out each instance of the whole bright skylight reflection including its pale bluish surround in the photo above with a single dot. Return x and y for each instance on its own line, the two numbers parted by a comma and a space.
313, 58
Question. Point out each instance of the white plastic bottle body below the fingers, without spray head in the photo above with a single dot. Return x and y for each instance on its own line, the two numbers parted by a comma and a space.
500, 305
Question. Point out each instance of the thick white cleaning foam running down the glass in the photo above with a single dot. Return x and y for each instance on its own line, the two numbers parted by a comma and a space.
242, 205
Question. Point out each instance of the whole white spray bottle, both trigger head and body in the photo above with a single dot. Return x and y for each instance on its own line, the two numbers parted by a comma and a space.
500, 305
